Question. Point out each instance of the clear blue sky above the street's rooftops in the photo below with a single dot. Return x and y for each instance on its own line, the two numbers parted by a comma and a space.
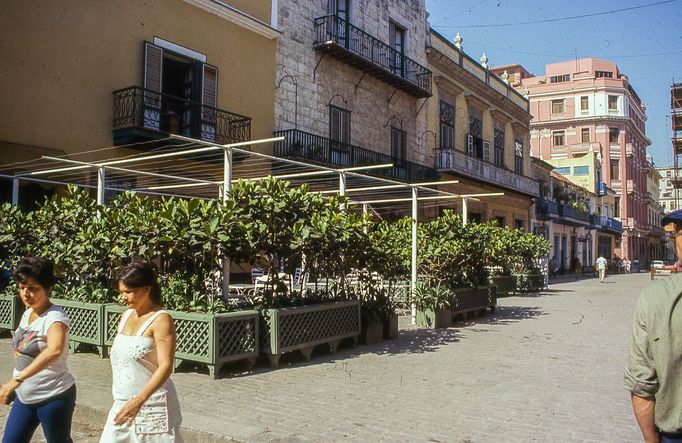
646, 43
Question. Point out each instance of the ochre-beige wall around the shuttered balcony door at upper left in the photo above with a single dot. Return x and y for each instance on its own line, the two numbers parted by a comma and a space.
64, 59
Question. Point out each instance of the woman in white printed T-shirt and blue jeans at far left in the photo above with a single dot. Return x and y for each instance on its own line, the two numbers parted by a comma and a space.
43, 390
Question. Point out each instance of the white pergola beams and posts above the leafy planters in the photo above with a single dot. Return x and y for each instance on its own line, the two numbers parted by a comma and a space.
224, 186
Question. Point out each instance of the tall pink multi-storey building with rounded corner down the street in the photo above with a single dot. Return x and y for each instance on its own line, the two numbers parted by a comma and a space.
588, 105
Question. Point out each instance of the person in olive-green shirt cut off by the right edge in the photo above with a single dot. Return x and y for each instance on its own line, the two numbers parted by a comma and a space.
654, 370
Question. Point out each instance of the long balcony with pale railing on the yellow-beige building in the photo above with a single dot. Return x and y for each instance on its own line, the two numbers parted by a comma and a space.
450, 159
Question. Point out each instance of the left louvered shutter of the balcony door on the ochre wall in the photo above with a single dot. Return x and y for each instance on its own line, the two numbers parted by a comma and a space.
153, 70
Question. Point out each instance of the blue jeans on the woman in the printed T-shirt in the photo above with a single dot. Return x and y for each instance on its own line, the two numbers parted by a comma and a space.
54, 415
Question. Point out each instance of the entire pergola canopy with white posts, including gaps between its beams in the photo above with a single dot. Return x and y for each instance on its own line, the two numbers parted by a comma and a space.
190, 168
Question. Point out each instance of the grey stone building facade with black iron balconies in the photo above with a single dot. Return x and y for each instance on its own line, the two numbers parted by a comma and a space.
351, 78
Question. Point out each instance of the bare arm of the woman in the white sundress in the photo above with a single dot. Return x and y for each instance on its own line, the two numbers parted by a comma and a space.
163, 333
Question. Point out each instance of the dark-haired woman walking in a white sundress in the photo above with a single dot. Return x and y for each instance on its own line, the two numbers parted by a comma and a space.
146, 407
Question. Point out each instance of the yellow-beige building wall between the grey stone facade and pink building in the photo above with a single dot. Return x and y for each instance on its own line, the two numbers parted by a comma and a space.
463, 86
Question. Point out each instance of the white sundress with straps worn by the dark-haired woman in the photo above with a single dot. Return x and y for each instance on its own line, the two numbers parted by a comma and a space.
133, 361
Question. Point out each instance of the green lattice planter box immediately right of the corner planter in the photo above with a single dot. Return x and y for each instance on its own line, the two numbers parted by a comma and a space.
302, 328
